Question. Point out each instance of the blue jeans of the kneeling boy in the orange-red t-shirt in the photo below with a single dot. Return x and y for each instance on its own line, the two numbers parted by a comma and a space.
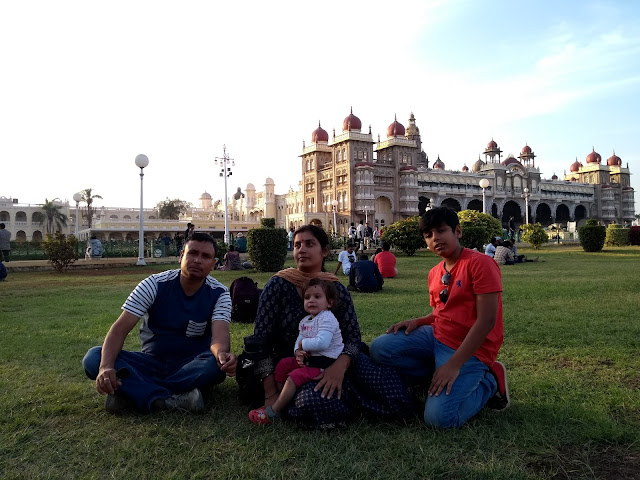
414, 355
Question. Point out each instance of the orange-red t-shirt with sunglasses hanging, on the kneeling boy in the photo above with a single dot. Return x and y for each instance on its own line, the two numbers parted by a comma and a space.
473, 274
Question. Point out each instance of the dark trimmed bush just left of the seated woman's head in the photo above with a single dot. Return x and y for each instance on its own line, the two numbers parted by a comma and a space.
267, 246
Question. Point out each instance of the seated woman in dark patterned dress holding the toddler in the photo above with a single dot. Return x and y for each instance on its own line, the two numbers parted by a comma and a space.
353, 383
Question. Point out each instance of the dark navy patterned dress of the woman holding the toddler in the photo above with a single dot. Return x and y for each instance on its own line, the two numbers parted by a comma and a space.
367, 388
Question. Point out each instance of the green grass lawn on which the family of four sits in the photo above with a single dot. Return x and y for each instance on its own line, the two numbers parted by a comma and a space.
572, 340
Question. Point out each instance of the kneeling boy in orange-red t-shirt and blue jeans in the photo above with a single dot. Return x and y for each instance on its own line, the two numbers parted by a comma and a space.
461, 337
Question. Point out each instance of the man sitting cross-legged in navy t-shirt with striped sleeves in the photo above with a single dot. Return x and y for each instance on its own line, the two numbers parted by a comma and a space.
184, 336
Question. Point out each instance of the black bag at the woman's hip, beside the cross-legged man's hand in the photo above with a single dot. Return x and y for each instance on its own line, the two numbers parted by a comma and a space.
249, 380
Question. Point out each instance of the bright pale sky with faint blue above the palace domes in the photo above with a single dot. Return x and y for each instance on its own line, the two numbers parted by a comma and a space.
87, 86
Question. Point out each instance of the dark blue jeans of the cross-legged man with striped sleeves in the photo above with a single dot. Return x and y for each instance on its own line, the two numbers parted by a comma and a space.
151, 379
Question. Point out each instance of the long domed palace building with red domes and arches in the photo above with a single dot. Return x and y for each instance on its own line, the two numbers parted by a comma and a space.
351, 177
